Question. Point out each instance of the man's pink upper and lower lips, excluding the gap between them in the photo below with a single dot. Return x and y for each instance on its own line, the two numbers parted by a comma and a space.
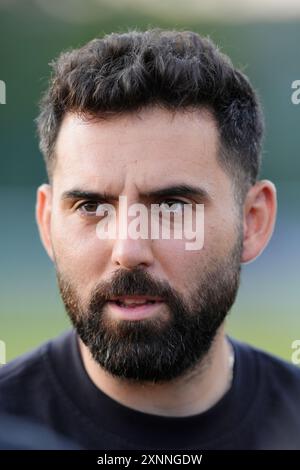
138, 312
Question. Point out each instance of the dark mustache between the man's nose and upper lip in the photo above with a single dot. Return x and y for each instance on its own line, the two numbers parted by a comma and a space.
130, 283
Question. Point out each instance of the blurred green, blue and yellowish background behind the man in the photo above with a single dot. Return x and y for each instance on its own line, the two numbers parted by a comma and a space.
32, 33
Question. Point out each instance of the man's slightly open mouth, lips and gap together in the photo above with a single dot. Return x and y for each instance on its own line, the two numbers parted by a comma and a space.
134, 307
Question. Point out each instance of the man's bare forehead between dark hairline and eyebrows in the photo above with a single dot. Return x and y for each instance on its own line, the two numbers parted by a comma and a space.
149, 148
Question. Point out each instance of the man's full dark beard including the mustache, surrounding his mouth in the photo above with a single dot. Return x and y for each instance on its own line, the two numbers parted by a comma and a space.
157, 349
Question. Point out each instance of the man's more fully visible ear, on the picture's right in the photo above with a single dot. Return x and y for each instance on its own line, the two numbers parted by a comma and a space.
259, 219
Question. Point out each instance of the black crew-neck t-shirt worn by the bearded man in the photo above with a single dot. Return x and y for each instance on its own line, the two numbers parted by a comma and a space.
50, 386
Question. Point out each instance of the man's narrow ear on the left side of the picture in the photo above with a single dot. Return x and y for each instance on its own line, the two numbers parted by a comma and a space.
43, 216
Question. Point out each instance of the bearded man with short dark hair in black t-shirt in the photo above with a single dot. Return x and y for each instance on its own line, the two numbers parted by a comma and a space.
158, 118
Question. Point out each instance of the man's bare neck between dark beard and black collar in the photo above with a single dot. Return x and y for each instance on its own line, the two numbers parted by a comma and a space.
184, 396
